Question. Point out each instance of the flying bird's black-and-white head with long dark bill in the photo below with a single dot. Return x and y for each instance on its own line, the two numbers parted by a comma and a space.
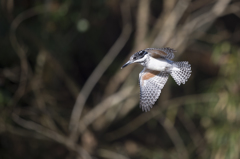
139, 57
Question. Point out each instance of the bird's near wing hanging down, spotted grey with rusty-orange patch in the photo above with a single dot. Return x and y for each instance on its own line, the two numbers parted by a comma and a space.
151, 84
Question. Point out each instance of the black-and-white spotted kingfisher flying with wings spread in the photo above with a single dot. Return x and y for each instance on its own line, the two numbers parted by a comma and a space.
157, 68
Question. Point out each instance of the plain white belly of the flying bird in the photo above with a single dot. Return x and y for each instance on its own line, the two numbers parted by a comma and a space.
158, 65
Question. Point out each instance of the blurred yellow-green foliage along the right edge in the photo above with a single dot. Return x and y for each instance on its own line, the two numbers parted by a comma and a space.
221, 120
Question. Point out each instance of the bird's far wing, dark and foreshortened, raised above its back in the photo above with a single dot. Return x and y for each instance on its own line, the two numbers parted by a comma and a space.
161, 52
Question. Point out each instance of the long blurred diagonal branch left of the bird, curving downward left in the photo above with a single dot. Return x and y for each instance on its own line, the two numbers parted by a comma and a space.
97, 73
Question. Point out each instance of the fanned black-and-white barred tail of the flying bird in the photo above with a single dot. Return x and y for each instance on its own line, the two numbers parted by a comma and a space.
181, 72
